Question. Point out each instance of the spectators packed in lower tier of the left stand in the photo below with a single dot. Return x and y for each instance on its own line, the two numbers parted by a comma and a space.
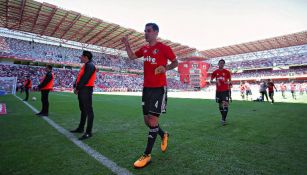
64, 78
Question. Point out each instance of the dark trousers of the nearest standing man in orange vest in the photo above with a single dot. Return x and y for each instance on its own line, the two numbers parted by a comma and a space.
85, 104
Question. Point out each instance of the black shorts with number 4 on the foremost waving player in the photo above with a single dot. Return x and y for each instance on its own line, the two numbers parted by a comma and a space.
154, 101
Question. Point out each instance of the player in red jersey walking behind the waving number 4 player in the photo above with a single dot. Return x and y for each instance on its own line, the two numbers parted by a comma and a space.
223, 79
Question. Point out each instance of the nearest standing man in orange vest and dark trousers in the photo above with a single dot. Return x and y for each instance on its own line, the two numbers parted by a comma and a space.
83, 87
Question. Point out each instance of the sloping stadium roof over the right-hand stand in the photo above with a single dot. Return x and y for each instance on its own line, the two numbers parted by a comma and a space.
294, 39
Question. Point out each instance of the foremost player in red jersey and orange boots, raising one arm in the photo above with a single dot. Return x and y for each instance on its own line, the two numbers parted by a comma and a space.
156, 56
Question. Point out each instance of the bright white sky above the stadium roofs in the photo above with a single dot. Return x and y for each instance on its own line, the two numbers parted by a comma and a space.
202, 24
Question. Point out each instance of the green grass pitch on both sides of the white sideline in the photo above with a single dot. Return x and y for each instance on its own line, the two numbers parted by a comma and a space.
260, 138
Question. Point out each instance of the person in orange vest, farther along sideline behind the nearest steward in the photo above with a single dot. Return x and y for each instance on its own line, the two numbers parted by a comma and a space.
45, 87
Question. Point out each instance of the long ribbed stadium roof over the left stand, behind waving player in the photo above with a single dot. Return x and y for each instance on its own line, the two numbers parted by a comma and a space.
49, 20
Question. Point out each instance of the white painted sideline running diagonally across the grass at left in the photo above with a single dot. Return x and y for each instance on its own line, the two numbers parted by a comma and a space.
96, 155
